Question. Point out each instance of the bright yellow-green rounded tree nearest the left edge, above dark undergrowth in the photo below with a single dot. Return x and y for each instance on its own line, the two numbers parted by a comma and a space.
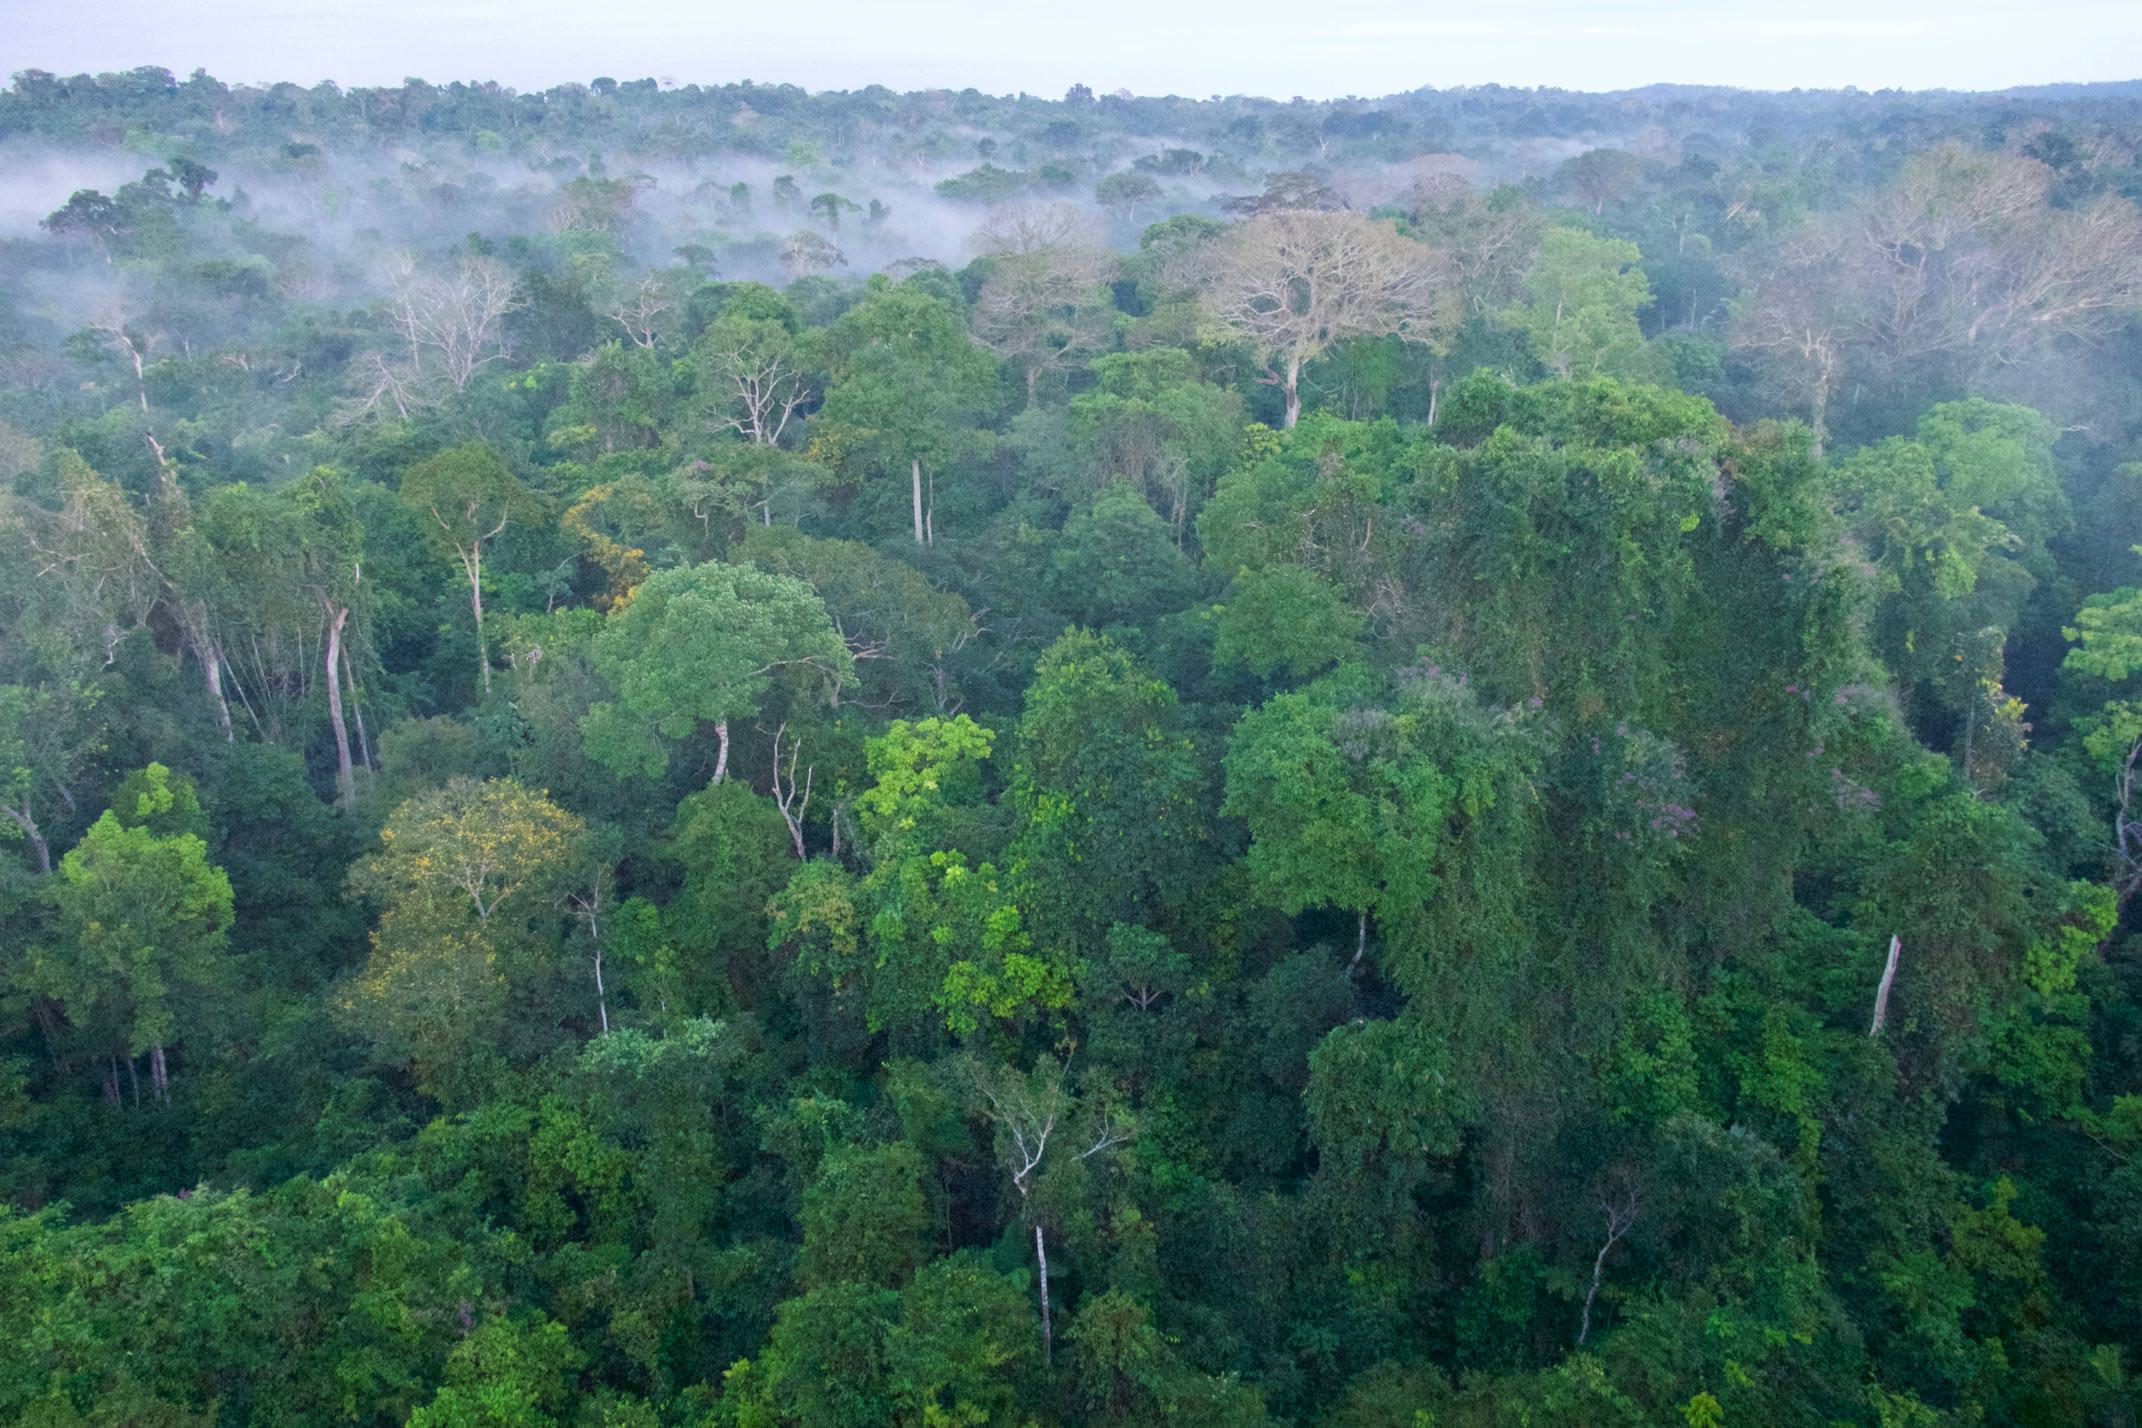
142, 920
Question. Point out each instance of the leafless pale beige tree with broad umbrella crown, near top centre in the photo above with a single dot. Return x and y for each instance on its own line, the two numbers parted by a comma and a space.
1299, 282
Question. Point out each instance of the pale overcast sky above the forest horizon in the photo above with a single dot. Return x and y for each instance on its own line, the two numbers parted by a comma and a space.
1278, 48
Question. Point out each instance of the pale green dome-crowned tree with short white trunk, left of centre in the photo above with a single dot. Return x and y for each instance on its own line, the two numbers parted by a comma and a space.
704, 645
